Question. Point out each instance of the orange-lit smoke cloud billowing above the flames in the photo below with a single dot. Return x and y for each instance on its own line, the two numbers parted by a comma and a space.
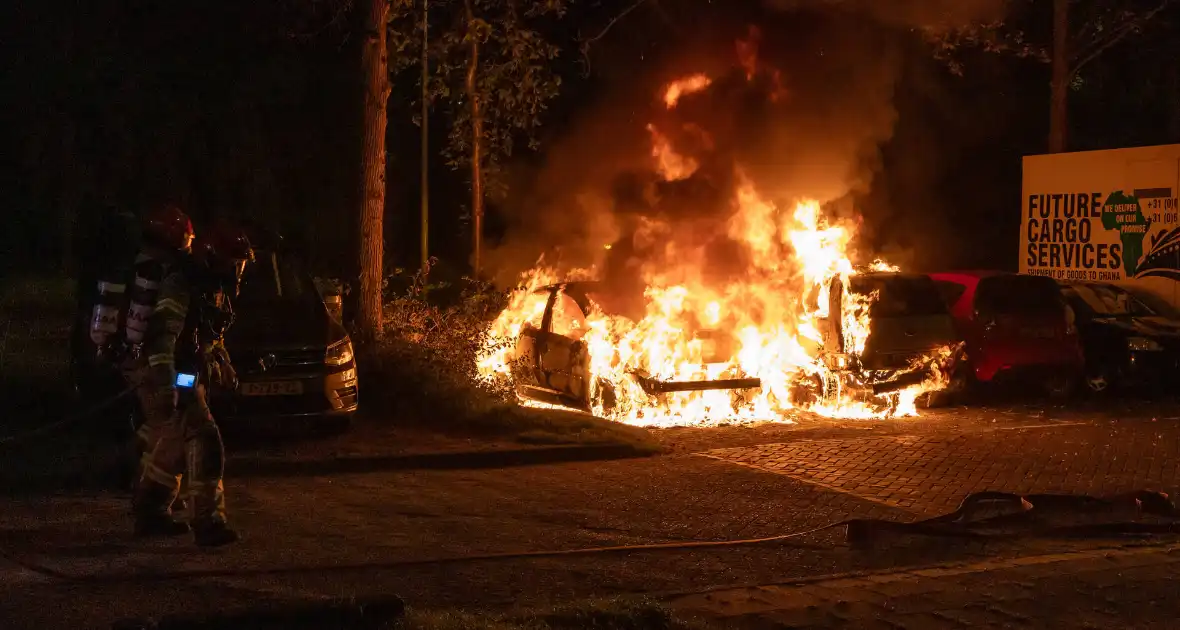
801, 103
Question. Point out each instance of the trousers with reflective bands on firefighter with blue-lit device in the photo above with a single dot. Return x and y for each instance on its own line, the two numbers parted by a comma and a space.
187, 443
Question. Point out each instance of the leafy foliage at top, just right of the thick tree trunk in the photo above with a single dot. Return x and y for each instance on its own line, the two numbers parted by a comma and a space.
515, 80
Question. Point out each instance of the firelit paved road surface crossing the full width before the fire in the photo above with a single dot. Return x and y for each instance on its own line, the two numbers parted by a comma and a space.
346, 535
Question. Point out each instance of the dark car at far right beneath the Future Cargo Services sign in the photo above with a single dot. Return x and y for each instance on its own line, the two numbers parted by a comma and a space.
1131, 339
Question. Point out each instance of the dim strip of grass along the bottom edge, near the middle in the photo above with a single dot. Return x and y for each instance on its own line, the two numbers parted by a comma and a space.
596, 615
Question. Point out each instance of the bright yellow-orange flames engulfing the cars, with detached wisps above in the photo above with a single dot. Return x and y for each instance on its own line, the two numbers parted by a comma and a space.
775, 314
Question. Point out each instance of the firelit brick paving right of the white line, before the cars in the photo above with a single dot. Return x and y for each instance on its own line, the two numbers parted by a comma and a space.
932, 475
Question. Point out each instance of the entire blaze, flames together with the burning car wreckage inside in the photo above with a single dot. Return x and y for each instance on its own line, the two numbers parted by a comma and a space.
720, 301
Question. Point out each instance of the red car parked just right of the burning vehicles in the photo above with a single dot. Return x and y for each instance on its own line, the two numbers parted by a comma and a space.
1018, 329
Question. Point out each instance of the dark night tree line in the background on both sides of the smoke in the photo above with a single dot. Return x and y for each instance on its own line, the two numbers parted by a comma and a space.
239, 109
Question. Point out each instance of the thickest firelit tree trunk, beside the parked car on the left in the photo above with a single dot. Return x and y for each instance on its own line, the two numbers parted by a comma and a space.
375, 67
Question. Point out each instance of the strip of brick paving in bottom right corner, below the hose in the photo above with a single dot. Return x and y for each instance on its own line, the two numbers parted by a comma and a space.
1124, 588
